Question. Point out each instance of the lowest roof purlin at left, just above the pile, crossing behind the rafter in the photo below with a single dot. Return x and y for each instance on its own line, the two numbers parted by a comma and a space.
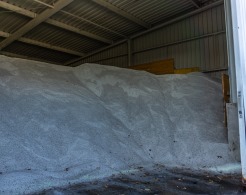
45, 45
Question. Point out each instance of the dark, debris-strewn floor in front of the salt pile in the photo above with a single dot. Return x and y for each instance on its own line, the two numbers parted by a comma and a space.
158, 181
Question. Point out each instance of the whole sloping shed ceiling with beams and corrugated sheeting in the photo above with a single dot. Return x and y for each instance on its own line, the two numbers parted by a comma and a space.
62, 31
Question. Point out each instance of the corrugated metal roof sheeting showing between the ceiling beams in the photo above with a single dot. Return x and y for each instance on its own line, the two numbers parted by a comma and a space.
88, 16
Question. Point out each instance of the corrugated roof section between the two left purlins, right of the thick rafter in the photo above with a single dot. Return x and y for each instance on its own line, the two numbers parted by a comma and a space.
62, 38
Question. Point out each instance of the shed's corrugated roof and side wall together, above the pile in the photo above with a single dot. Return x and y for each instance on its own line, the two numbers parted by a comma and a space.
118, 33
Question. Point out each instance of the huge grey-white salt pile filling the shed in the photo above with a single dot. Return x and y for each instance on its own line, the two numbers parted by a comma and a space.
62, 125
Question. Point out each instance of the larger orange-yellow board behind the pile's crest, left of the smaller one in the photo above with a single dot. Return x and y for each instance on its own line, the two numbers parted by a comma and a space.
157, 67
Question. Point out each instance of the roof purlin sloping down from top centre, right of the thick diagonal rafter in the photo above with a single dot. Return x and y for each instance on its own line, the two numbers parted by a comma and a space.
122, 13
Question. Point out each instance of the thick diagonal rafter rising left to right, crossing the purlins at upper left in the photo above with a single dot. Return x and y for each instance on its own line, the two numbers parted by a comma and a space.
34, 22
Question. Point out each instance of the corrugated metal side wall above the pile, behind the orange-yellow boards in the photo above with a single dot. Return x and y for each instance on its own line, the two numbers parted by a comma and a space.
199, 40
